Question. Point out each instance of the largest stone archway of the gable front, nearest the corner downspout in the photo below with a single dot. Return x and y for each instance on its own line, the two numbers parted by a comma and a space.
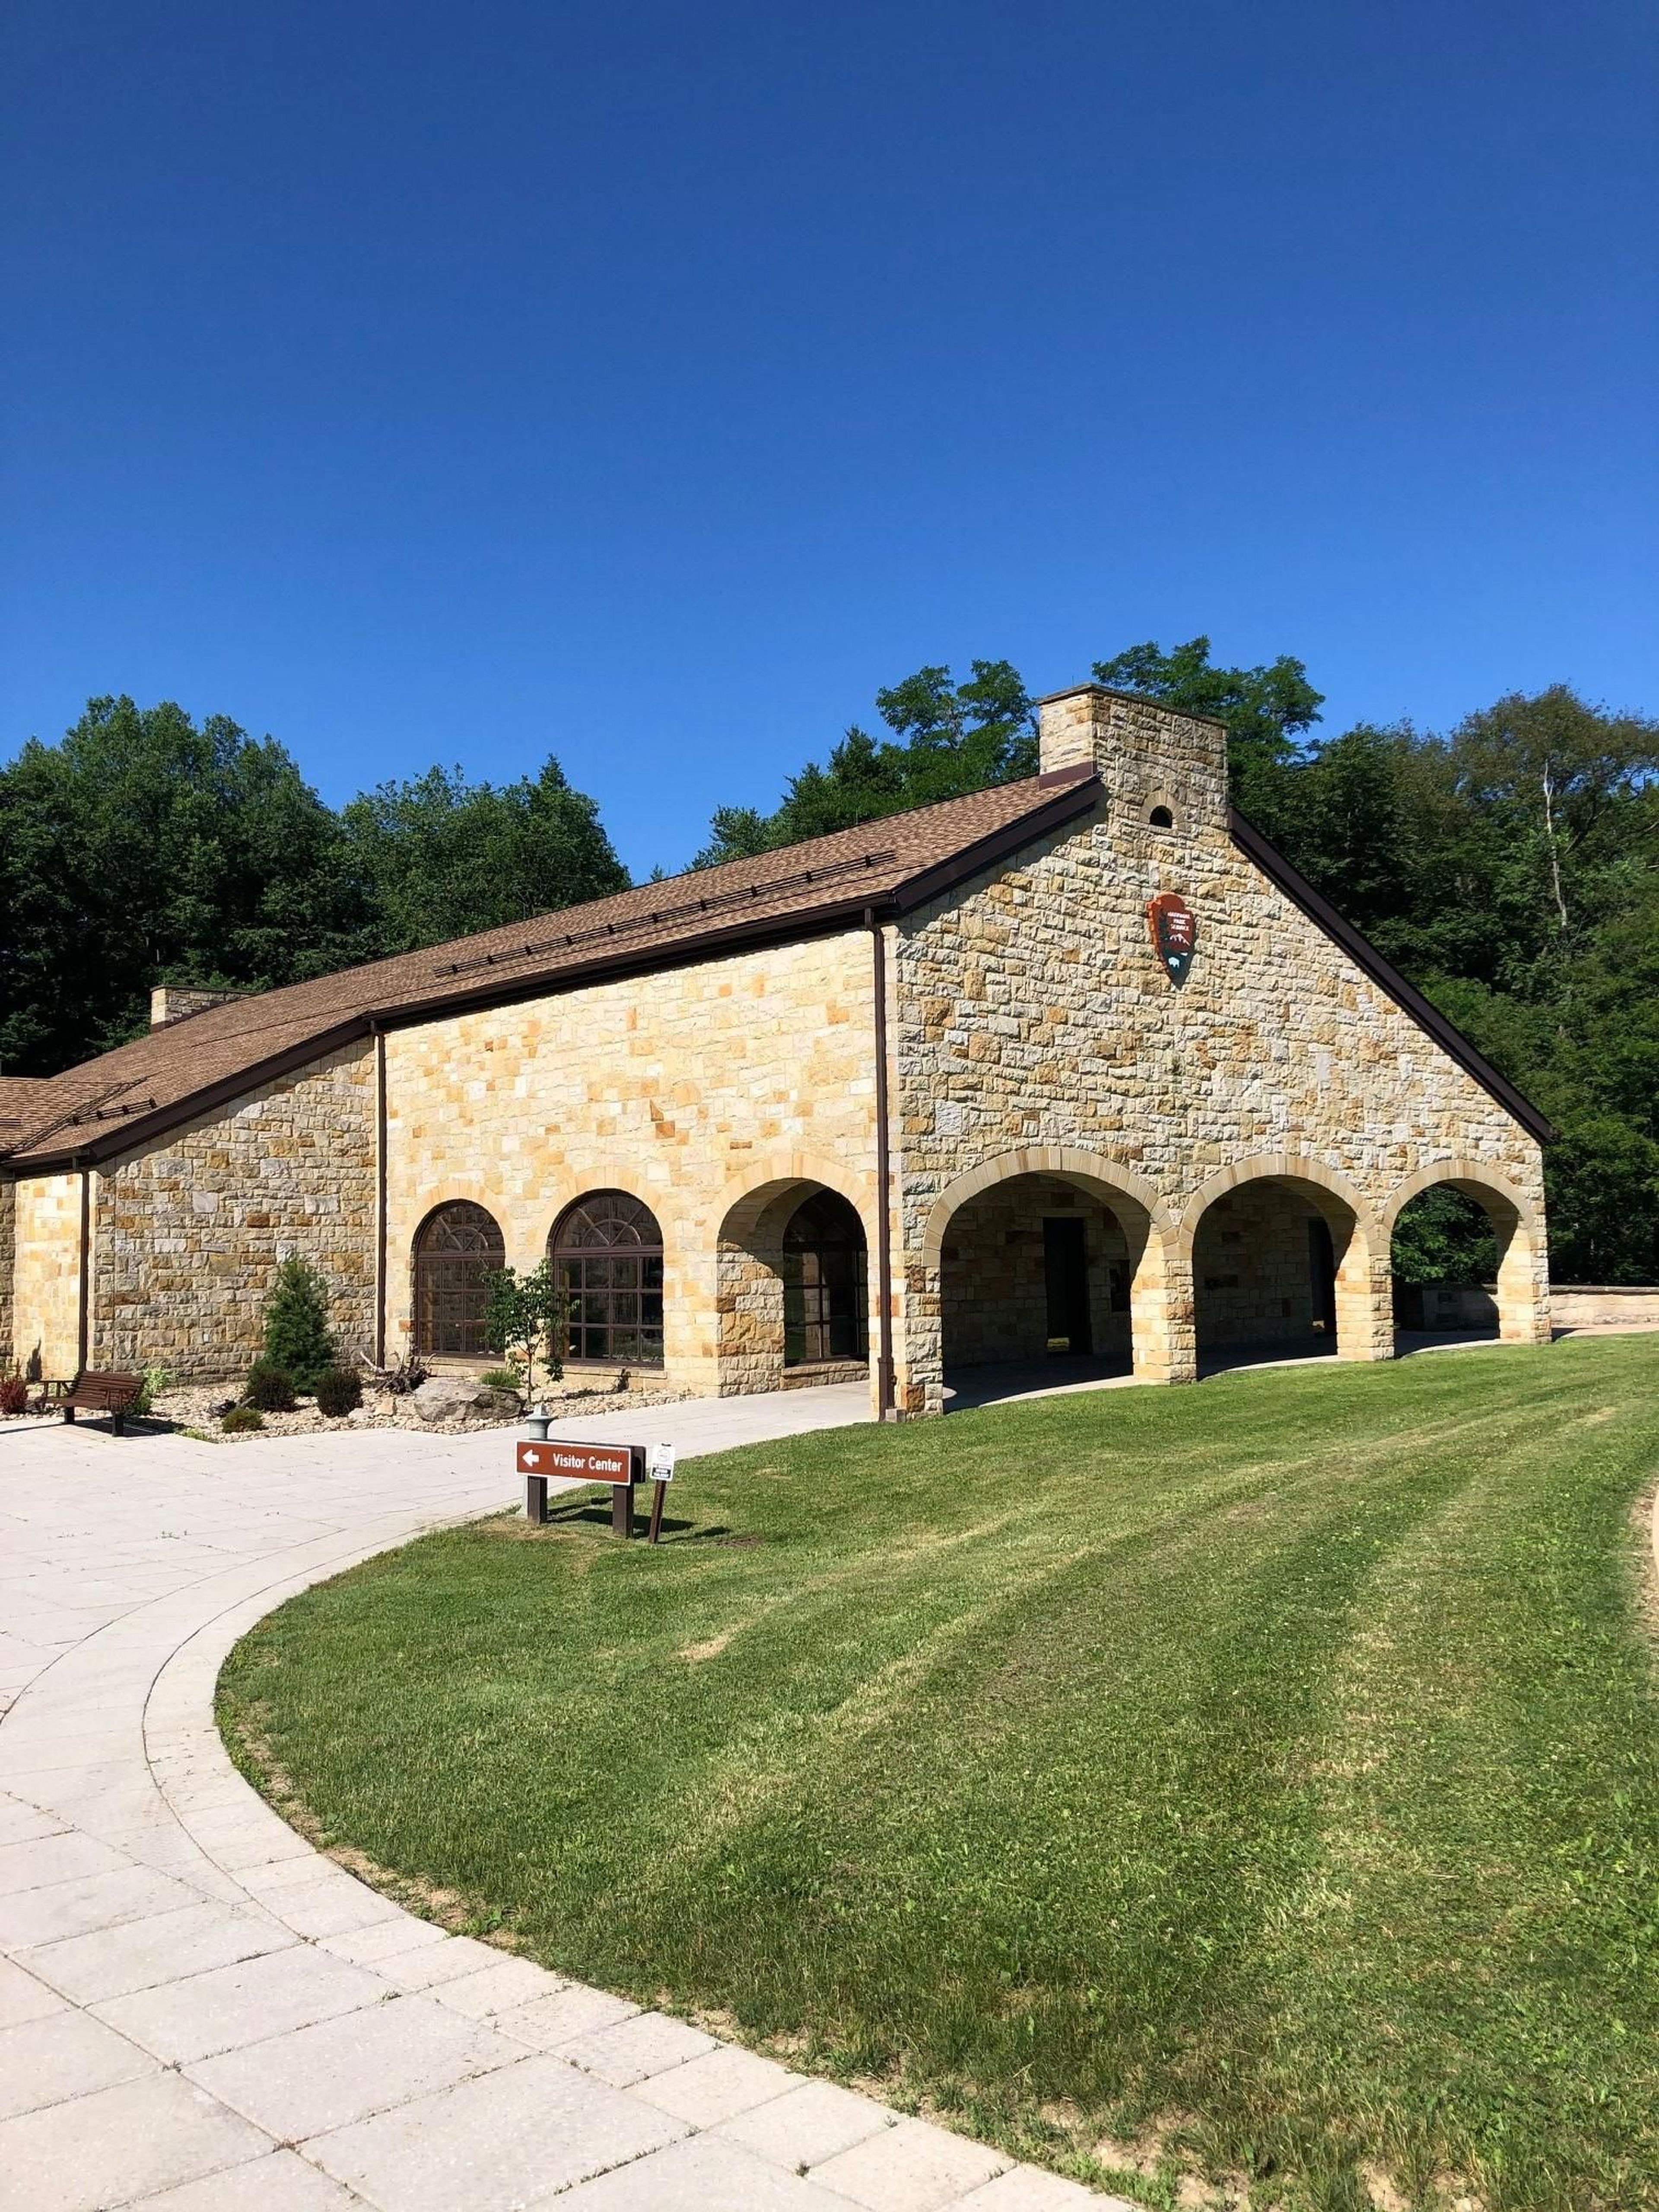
1030, 1238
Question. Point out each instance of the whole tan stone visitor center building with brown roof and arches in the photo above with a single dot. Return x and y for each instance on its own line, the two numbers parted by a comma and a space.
1076, 1070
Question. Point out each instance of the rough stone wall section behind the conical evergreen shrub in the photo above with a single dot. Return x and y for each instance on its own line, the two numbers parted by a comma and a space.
191, 1229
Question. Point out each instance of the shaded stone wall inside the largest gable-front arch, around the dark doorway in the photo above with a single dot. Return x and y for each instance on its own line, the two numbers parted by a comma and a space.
994, 1291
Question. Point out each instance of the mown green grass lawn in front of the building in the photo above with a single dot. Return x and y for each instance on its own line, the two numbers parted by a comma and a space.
1264, 1773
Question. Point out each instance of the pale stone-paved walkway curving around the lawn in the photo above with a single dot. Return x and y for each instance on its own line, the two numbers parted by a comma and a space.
200, 2014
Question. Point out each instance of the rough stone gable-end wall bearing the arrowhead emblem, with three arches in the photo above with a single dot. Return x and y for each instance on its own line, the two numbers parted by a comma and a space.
1034, 1021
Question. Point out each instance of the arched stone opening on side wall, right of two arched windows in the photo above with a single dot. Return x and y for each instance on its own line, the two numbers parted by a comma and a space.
766, 1246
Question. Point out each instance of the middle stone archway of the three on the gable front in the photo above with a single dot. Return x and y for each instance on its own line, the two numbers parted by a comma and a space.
1286, 1260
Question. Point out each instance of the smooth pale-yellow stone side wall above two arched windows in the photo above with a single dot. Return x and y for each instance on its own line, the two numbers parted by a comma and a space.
718, 1094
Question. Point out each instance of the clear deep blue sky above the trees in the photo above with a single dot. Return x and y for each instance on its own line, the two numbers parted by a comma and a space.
651, 384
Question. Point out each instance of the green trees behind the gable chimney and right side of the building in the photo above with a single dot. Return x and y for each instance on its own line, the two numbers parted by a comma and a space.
1510, 868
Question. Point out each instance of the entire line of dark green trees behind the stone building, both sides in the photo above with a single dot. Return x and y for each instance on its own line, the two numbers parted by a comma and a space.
1510, 868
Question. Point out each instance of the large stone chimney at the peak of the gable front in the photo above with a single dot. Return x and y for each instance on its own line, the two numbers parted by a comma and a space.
1151, 760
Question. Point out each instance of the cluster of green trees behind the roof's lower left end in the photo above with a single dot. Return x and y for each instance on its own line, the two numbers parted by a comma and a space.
149, 851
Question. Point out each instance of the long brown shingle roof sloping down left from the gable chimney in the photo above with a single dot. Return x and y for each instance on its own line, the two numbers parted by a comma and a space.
123, 1098
